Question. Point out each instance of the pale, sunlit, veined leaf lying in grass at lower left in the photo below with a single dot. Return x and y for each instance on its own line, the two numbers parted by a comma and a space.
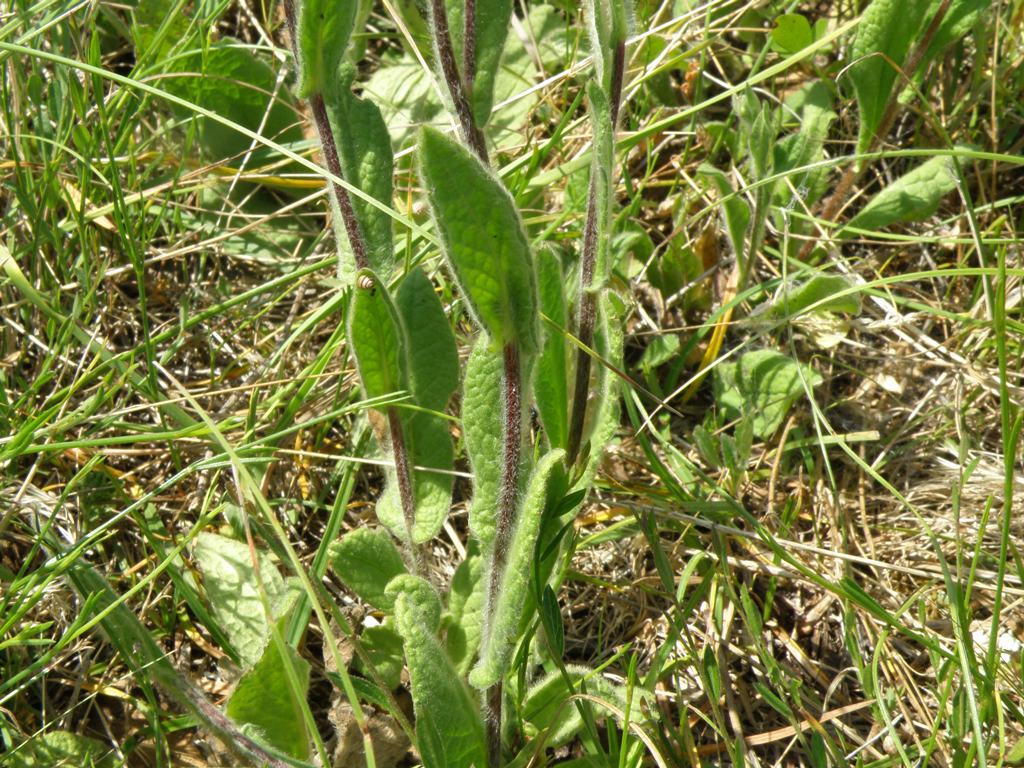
234, 591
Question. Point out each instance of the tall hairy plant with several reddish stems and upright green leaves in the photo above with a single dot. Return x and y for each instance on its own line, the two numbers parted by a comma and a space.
404, 348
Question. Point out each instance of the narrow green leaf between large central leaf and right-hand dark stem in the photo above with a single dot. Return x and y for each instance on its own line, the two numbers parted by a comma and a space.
551, 382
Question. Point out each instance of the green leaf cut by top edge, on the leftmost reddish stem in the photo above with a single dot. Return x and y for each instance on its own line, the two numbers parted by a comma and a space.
324, 30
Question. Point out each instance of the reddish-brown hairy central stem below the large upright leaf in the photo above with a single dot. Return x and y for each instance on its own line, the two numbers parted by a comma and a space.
507, 506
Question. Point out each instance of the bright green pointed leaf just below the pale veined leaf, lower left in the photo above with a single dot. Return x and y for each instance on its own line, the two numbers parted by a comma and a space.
265, 700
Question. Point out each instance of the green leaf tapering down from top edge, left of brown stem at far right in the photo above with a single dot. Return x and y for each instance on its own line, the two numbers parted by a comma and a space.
887, 30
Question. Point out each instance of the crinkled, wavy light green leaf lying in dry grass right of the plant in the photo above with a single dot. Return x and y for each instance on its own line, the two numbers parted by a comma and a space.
765, 385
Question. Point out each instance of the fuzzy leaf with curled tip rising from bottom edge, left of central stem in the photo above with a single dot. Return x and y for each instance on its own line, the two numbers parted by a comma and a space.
449, 730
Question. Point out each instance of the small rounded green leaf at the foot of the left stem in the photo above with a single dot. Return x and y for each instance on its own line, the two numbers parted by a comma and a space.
366, 561
